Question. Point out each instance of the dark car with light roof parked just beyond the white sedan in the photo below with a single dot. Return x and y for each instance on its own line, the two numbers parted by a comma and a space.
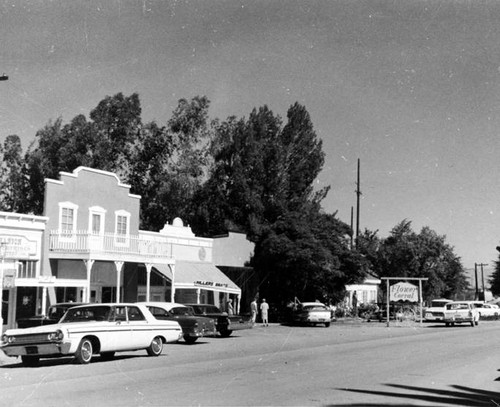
193, 327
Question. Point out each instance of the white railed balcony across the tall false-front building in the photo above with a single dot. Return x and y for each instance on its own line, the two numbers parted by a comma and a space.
108, 245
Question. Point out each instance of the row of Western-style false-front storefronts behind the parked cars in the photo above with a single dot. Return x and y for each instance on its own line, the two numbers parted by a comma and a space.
88, 248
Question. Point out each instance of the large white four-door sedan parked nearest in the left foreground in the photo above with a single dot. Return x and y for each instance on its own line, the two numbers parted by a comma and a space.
92, 329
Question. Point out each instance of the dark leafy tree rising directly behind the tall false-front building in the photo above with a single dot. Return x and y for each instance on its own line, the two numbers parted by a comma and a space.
105, 142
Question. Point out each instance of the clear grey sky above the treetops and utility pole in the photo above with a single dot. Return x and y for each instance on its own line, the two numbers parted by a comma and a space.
410, 88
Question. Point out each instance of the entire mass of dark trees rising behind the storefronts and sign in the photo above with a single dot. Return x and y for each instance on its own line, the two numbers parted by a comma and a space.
252, 175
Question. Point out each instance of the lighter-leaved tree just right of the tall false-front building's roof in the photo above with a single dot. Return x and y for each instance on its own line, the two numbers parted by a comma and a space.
170, 163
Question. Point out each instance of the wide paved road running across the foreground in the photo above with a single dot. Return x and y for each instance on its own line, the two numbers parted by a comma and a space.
356, 364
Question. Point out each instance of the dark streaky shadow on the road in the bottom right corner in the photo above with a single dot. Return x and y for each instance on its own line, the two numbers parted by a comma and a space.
458, 396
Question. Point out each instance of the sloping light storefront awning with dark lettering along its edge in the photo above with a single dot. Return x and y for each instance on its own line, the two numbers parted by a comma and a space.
202, 275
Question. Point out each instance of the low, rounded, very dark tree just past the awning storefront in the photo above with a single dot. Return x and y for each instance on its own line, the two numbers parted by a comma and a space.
306, 255
